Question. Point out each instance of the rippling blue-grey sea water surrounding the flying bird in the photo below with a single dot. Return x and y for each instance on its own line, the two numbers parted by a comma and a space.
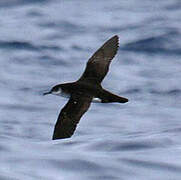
43, 43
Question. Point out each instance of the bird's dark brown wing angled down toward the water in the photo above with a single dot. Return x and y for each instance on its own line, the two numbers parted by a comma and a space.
70, 116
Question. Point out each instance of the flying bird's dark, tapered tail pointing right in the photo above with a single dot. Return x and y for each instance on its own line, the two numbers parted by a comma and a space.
108, 97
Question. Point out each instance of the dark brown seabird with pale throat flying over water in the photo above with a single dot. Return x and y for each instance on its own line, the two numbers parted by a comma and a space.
85, 90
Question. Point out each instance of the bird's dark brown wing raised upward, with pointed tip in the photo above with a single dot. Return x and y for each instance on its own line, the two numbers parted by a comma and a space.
98, 65
